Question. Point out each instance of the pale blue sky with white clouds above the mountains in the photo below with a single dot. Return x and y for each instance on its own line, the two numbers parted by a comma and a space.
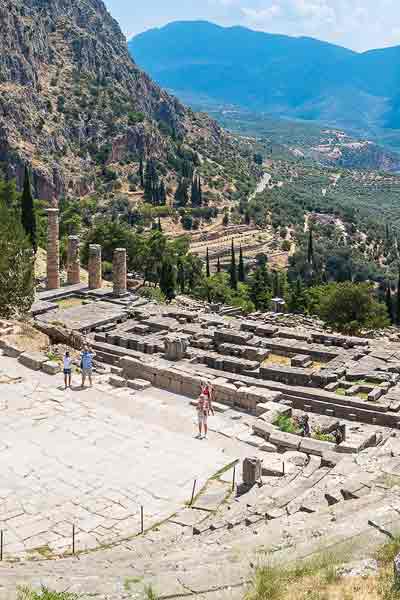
357, 24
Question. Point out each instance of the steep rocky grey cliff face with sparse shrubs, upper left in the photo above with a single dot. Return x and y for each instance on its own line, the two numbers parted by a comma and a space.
72, 101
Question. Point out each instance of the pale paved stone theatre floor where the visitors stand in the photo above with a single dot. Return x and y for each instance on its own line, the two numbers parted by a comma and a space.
92, 458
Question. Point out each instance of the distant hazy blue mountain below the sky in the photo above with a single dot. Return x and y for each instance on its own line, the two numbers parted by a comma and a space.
290, 77
